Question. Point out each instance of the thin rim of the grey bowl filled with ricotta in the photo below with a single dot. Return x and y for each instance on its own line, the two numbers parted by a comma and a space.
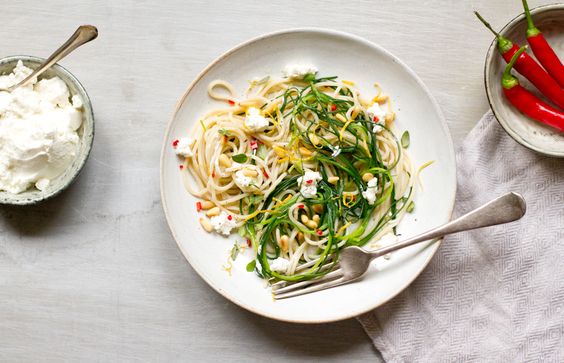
90, 110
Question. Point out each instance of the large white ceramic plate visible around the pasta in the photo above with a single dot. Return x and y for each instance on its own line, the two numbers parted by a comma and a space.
349, 57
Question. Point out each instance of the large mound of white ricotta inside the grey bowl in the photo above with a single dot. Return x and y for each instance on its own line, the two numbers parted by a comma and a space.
38, 131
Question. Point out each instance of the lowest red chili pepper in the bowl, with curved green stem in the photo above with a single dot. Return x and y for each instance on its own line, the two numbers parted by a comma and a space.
526, 102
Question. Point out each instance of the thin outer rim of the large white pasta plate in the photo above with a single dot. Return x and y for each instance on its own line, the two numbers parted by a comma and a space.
326, 31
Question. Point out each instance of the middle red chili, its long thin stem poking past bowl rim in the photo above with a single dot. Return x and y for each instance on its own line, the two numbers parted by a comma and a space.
528, 67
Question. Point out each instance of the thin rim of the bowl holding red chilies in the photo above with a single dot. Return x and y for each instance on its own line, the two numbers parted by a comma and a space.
491, 53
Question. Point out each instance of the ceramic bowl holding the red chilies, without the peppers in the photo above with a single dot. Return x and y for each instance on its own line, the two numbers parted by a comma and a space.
528, 132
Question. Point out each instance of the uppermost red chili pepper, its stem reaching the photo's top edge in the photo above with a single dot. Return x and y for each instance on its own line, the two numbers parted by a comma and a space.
542, 49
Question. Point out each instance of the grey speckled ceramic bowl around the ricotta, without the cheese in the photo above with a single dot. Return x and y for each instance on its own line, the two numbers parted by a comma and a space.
86, 133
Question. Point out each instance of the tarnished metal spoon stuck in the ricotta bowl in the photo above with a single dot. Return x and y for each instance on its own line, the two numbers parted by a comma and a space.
82, 35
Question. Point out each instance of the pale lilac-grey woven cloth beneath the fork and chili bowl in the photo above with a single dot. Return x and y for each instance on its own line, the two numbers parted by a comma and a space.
494, 294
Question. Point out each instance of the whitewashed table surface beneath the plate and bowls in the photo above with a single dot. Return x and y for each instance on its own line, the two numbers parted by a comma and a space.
94, 274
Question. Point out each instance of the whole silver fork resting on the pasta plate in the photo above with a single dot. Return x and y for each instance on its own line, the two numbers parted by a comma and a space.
354, 261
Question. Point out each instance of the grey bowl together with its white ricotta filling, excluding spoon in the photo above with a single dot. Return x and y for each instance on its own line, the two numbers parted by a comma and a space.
46, 131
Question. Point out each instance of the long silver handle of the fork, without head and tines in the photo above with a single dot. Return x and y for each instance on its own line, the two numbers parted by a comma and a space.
507, 208
